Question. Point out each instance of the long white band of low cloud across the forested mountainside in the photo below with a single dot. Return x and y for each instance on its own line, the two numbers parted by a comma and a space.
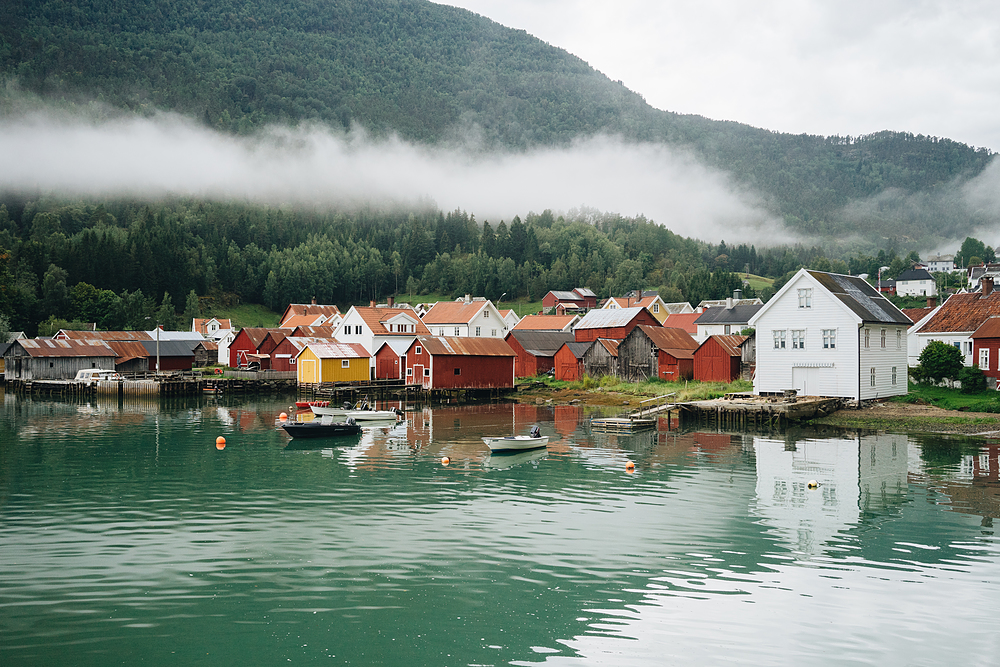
170, 155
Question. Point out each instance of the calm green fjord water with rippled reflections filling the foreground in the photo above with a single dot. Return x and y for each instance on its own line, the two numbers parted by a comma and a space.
127, 537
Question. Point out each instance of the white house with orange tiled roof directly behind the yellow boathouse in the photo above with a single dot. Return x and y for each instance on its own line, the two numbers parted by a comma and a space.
373, 326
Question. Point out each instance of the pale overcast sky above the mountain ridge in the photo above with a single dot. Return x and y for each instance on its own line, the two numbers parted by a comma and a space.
843, 67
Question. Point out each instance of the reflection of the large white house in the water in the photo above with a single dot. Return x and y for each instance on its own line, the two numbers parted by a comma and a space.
854, 474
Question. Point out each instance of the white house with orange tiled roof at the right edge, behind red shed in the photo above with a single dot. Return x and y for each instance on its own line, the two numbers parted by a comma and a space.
956, 320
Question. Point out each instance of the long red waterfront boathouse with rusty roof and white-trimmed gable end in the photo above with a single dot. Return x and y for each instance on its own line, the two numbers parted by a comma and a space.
442, 362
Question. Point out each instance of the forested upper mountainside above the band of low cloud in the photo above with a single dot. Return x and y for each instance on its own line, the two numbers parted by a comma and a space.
434, 73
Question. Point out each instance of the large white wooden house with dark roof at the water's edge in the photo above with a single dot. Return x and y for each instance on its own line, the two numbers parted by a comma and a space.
826, 334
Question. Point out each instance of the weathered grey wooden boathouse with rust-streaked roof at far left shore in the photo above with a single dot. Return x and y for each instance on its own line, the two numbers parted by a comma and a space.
50, 359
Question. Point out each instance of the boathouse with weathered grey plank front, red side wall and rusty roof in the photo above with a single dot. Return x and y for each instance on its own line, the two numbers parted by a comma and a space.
663, 352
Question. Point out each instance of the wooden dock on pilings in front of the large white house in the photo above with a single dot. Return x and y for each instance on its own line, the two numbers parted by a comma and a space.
744, 410
